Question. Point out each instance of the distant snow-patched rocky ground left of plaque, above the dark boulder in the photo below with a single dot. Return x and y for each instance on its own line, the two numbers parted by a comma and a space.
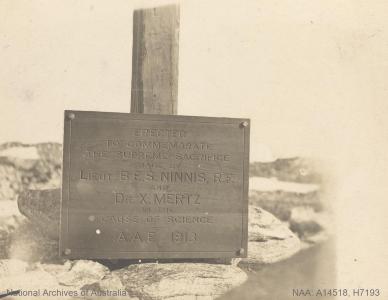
24, 166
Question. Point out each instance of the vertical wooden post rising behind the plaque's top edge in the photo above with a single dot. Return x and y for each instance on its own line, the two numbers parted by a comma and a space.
155, 60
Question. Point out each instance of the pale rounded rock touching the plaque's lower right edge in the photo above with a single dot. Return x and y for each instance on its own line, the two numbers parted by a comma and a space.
270, 240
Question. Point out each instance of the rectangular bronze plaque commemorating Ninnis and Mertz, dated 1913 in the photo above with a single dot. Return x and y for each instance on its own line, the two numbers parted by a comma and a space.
154, 186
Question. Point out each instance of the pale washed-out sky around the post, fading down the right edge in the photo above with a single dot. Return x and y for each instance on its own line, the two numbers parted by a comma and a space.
311, 76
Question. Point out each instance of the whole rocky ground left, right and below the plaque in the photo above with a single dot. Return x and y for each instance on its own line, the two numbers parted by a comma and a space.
29, 257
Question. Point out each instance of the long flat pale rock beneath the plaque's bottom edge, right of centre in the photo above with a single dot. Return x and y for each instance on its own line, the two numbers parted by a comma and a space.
179, 280
